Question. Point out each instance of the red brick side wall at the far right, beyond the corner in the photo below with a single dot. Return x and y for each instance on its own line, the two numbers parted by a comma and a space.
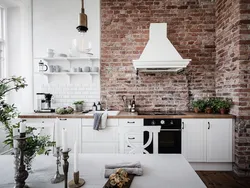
233, 71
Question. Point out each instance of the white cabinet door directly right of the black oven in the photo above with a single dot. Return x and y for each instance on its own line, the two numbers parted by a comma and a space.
193, 140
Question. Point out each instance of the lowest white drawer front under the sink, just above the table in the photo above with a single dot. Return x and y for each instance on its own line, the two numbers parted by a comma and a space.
99, 147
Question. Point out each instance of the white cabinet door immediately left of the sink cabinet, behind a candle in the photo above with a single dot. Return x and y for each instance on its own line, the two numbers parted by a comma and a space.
72, 127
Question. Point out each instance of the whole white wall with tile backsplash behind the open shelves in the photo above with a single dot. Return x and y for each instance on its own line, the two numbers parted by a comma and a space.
54, 26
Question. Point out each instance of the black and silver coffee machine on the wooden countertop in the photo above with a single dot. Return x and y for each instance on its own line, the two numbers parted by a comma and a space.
44, 102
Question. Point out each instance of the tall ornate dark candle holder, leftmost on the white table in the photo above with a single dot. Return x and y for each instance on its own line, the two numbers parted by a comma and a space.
21, 174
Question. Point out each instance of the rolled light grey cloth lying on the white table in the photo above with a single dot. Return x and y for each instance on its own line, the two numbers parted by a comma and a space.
131, 168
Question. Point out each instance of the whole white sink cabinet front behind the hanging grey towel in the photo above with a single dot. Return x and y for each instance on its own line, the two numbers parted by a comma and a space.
102, 141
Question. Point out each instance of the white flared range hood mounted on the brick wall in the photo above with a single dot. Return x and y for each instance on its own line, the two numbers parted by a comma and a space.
160, 55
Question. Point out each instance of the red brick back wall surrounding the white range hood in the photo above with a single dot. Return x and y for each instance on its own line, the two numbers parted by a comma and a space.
124, 34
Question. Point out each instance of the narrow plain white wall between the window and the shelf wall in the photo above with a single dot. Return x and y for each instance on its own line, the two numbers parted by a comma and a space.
19, 51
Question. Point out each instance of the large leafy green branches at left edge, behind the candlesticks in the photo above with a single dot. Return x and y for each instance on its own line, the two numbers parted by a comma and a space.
35, 144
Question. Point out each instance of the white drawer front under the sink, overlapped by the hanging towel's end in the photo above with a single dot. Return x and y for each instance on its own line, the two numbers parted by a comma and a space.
108, 134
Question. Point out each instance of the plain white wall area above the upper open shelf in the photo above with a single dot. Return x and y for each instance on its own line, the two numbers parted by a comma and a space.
55, 22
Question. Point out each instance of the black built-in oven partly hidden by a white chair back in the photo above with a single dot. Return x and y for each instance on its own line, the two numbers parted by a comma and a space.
169, 139
